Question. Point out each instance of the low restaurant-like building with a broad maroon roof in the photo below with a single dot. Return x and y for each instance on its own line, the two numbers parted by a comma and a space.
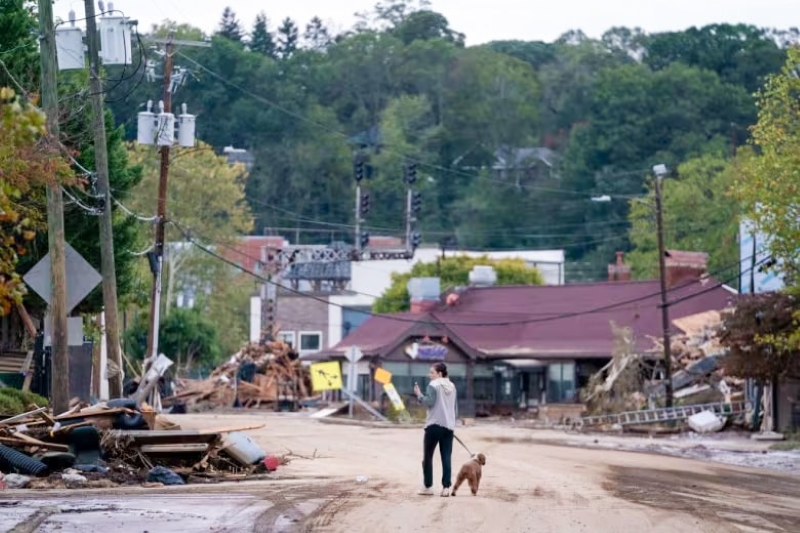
522, 346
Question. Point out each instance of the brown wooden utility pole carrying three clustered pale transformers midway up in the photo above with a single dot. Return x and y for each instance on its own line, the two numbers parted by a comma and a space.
155, 295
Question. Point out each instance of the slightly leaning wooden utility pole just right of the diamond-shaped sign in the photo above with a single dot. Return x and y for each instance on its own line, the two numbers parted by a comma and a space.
107, 266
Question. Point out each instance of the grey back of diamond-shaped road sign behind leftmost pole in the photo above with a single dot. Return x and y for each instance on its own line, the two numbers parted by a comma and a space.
82, 278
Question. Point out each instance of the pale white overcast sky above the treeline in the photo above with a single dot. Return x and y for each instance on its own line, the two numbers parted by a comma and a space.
480, 20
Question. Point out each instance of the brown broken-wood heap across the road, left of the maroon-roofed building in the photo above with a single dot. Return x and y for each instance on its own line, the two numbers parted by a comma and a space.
257, 376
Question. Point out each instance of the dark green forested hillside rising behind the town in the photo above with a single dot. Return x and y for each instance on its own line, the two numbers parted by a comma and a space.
402, 86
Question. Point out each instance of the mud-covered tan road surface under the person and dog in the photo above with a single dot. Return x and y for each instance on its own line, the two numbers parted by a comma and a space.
527, 486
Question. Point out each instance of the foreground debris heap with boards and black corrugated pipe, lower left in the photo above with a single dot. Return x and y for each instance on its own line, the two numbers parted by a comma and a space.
115, 443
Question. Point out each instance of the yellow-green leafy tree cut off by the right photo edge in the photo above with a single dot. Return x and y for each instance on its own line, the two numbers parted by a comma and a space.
769, 185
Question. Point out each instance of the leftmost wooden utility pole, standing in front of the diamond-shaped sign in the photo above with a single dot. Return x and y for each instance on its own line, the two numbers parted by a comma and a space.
55, 218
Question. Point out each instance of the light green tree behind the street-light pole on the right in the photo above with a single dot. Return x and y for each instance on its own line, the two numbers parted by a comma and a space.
699, 215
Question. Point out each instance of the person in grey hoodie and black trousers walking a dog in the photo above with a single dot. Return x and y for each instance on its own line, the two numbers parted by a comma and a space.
440, 402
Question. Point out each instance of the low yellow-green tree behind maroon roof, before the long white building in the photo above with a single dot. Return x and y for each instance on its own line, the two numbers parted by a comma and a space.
454, 271
